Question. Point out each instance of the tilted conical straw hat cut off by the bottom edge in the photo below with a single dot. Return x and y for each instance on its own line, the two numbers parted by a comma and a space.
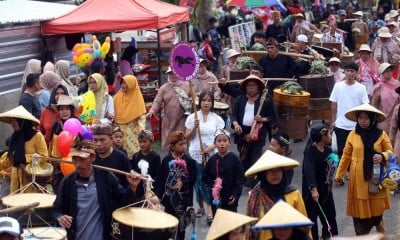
226, 221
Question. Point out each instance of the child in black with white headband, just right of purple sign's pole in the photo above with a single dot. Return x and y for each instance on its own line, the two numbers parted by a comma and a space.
224, 175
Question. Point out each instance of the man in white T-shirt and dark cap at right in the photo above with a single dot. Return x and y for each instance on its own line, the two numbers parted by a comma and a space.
345, 95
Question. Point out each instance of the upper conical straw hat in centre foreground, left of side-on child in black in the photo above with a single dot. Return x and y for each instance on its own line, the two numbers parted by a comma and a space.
270, 160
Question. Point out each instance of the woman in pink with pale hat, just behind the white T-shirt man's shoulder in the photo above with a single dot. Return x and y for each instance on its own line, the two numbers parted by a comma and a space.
368, 68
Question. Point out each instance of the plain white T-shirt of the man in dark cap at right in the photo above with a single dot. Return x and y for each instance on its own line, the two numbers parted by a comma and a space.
347, 97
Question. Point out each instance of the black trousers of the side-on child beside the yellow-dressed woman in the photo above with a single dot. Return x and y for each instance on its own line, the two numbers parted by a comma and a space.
328, 206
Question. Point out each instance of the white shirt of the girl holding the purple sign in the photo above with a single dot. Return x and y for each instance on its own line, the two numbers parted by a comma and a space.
207, 130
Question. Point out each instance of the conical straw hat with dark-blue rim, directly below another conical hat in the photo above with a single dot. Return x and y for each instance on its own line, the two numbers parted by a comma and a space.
282, 215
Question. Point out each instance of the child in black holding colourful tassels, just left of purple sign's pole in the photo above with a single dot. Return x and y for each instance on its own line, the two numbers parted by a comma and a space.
176, 179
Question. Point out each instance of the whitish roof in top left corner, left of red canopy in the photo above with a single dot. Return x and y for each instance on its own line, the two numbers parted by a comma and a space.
21, 11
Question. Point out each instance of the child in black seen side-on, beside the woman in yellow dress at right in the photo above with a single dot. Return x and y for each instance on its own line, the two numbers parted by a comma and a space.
318, 171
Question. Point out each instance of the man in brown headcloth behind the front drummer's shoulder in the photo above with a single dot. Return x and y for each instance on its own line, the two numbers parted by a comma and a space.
106, 155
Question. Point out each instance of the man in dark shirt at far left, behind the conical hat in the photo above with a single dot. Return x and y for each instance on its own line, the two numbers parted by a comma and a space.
28, 99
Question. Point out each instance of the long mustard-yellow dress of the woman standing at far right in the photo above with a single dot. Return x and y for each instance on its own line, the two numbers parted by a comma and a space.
360, 203
